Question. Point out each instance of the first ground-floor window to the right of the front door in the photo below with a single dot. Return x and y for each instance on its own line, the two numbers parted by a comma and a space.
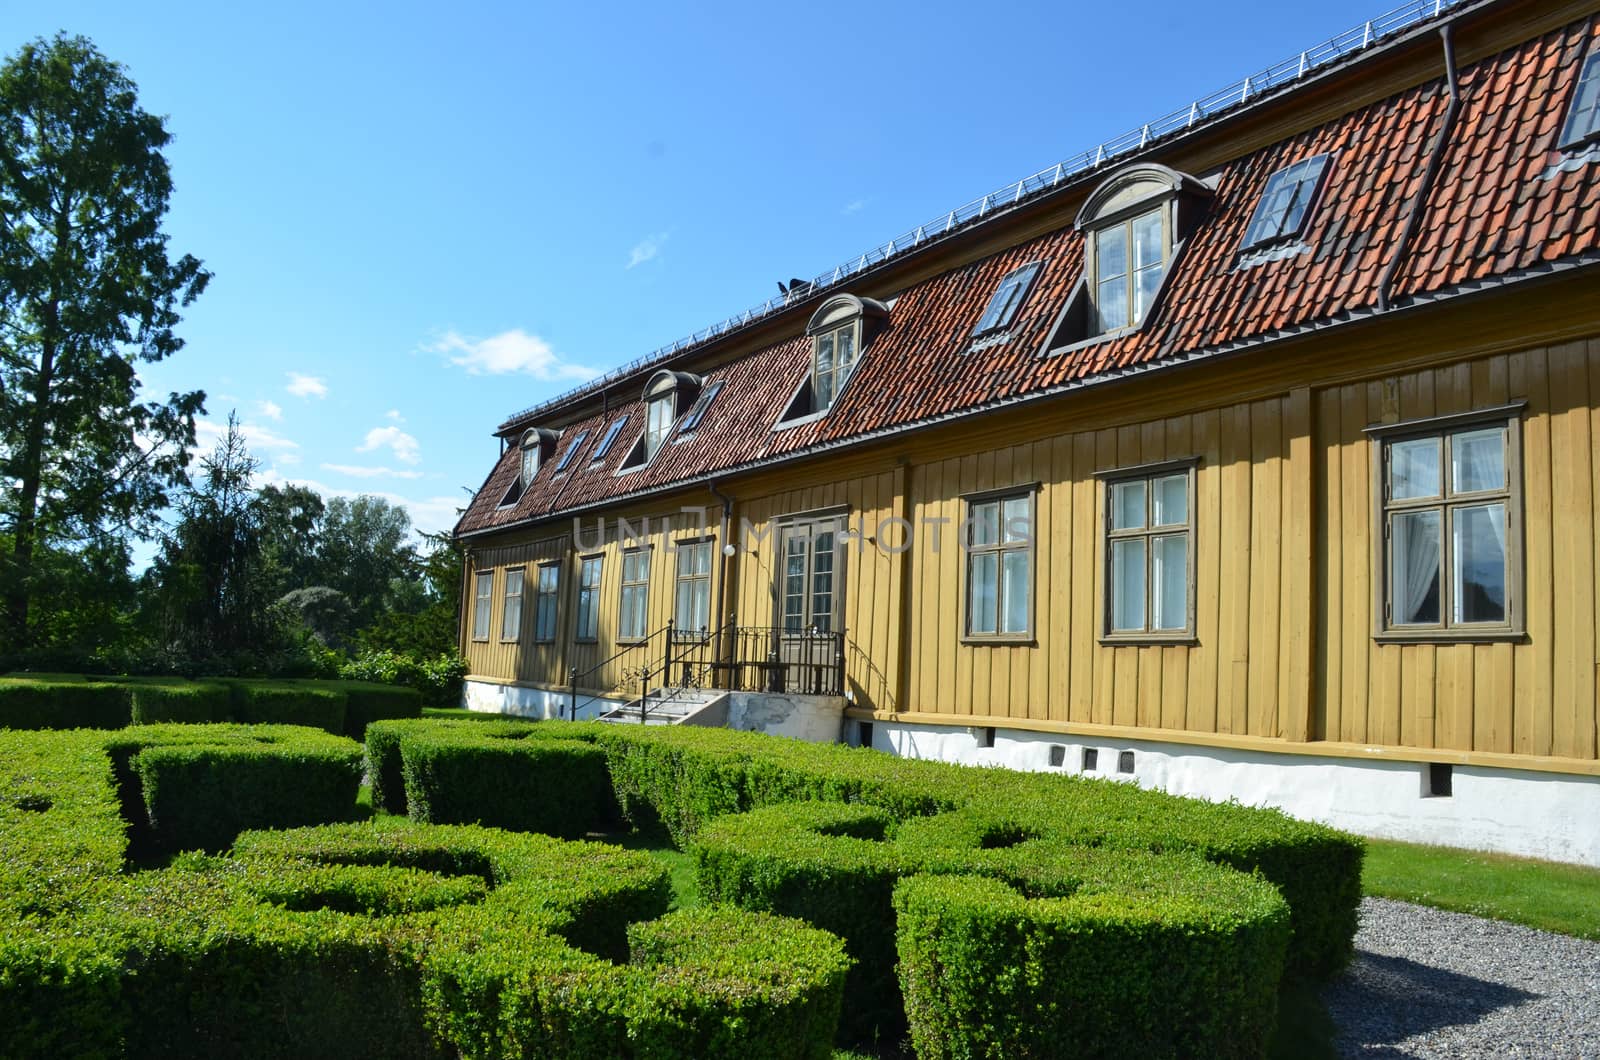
999, 547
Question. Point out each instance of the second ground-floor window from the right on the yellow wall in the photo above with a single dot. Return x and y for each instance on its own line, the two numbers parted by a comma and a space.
1150, 553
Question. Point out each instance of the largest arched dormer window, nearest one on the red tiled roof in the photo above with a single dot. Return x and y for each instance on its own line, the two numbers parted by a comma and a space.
1134, 228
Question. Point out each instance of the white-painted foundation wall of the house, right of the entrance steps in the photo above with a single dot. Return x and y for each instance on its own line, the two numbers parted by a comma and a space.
1534, 814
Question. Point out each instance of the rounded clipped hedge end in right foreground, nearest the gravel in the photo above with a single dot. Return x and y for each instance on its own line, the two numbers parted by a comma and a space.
1150, 955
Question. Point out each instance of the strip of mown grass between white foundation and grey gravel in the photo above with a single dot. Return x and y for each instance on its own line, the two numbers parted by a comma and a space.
1538, 894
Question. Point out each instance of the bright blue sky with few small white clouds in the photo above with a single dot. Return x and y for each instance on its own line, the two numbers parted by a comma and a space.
426, 217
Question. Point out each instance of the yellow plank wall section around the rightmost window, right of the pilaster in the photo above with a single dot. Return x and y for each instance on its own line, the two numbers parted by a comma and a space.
1527, 696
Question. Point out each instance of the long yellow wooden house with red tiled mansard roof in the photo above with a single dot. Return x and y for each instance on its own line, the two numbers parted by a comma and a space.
1249, 456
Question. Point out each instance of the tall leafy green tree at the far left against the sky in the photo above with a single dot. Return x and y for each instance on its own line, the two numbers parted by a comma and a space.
87, 294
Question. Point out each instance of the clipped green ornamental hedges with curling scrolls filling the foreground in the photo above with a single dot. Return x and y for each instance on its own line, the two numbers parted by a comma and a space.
854, 899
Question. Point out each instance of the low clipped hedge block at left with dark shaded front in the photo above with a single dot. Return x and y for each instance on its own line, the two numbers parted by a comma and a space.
201, 785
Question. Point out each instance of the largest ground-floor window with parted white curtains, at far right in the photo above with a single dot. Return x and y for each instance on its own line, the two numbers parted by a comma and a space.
1449, 512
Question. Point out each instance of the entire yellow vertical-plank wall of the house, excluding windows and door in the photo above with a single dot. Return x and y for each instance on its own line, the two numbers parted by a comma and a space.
1287, 574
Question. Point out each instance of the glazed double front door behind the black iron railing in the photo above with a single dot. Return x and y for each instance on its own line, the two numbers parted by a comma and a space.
810, 596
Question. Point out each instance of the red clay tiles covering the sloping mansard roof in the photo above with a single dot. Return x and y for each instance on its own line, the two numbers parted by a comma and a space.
1502, 206
